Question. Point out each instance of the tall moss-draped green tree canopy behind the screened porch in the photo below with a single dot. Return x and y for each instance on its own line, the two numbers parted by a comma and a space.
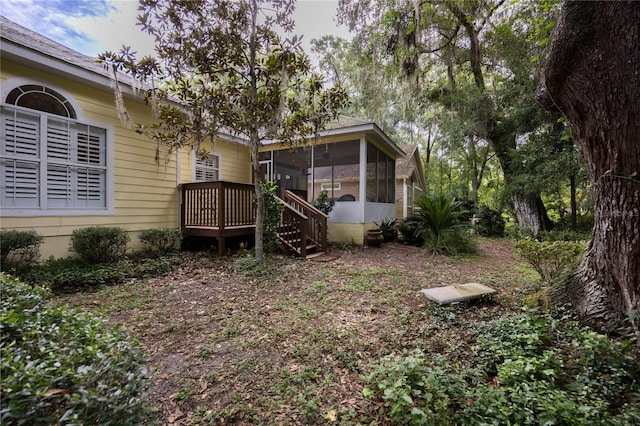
469, 71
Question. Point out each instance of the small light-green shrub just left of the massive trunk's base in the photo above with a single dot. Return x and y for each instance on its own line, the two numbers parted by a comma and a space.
552, 260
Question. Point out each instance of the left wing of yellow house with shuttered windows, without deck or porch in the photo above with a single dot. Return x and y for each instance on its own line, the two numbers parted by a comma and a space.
67, 161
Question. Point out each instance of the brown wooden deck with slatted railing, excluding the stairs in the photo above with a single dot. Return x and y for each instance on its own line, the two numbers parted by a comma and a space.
218, 210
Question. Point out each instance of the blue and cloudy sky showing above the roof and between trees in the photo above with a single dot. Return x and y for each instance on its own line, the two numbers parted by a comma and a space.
95, 26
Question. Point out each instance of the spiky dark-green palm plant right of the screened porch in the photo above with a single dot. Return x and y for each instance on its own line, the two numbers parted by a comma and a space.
437, 222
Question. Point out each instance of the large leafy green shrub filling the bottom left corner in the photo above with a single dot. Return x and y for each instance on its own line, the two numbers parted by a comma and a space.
61, 366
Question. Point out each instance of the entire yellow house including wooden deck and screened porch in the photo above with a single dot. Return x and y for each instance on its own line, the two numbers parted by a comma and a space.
68, 162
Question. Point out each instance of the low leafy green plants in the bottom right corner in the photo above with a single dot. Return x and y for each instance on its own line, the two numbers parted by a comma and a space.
553, 368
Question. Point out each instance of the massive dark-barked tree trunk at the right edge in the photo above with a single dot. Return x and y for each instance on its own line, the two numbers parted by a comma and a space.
593, 76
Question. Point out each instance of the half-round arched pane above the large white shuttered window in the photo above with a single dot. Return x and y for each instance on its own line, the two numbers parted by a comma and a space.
41, 98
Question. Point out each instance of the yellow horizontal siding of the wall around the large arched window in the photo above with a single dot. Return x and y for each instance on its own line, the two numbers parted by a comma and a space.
145, 193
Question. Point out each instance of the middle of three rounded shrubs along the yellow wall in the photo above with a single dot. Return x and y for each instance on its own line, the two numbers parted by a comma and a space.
98, 244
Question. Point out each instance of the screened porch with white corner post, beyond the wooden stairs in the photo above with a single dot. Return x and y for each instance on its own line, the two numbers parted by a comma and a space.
354, 161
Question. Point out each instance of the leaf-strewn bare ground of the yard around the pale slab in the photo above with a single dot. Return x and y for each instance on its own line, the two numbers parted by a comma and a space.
294, 342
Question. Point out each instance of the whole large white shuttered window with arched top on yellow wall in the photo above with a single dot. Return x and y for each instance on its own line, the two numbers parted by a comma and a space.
51, 162
